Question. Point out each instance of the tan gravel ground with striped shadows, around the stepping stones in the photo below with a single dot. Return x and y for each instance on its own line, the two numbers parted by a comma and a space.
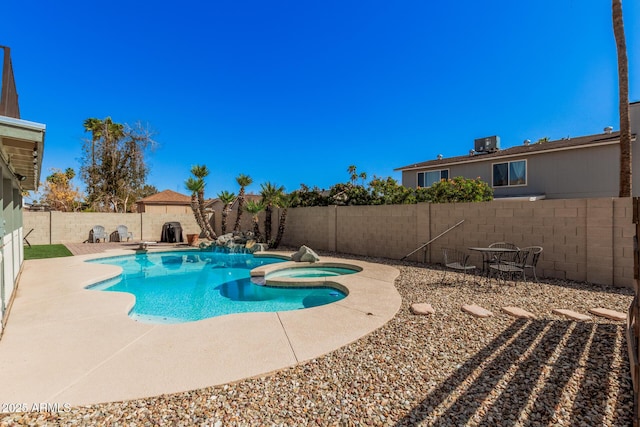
446, 369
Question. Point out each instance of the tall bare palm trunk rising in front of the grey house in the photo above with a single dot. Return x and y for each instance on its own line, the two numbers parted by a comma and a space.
623, 99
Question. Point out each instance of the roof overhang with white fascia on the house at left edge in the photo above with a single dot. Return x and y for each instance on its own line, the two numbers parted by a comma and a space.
21, 149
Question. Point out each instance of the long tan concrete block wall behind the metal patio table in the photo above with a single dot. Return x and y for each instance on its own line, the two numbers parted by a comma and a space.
583, 239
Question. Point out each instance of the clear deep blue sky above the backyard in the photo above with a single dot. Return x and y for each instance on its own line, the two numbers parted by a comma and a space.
294, 92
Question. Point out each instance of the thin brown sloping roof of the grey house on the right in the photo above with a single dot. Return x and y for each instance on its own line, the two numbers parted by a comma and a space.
561, 144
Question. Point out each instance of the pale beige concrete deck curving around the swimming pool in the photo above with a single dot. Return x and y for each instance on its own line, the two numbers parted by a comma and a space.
67, 345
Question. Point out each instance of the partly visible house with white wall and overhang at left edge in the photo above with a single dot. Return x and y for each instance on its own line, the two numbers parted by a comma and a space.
21, 148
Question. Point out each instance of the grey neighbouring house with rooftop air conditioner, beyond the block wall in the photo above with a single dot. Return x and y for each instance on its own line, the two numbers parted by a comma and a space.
582, 167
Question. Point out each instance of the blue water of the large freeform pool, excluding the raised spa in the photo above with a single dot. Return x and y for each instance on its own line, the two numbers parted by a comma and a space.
185, 286
